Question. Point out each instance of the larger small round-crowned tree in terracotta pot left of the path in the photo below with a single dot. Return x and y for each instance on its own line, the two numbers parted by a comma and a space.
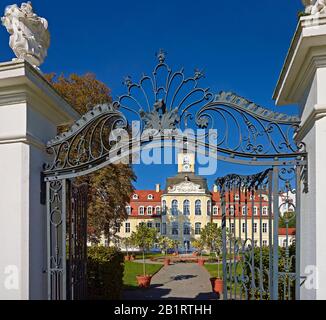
144, 238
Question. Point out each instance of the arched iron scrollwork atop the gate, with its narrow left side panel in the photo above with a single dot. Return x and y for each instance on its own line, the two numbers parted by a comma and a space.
165, 103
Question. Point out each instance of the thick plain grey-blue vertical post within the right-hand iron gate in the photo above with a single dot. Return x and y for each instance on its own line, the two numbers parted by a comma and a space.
275, 231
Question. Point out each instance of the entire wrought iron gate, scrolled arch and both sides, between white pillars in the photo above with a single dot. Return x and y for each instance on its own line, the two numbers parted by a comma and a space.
231, 129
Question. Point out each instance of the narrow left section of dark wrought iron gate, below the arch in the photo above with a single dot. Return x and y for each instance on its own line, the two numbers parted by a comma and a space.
67, 240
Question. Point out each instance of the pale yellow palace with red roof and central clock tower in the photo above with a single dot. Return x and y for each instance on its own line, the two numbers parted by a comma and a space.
186, 205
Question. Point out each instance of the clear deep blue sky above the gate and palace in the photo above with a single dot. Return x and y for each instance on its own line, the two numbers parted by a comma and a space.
240, 44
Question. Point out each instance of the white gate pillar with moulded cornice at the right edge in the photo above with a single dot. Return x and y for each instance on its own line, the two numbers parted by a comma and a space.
303, 82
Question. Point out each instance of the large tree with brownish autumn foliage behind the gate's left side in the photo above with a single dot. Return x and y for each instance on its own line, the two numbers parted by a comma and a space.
109, 188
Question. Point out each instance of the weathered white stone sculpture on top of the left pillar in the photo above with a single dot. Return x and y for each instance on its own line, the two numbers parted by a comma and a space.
29, 35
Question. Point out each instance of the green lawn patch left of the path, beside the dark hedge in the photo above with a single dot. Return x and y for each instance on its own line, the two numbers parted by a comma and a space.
133, 269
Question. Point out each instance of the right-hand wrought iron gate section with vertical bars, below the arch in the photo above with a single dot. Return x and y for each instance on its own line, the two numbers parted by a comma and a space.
256, 266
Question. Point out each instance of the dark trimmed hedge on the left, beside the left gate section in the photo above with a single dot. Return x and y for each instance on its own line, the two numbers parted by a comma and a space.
105, 268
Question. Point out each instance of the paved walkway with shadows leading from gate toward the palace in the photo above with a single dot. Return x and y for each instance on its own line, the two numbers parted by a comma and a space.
178, 281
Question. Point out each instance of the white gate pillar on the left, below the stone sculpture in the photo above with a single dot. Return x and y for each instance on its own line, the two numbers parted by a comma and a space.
30, 111
